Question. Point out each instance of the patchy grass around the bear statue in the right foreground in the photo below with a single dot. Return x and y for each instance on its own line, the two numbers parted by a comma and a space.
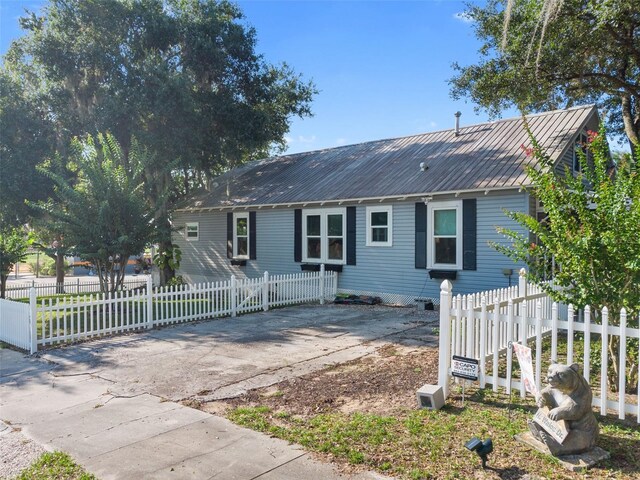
424, 444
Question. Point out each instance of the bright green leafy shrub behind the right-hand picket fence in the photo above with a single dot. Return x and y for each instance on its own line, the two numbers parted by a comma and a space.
591, 231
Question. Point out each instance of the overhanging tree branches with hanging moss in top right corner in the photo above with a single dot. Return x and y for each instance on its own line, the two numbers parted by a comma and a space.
589, 51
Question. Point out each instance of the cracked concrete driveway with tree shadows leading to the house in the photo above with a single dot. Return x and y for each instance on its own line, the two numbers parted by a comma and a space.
109, 403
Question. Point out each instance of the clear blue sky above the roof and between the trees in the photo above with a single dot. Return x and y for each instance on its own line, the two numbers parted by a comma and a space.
381, 67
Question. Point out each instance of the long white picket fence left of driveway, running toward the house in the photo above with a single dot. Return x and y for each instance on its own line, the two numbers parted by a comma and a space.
68, 319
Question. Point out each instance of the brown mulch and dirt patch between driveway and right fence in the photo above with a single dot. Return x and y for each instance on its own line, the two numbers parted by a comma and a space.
382, 383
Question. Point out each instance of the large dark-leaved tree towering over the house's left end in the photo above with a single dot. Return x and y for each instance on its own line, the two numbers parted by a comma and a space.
181, 76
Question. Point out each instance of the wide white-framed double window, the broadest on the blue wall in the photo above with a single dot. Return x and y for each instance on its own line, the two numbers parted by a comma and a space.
324, 235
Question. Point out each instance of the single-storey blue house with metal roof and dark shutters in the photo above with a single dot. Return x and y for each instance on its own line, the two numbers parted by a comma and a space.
394, 216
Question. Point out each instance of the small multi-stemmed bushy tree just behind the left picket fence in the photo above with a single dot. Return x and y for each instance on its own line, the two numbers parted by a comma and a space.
105, 215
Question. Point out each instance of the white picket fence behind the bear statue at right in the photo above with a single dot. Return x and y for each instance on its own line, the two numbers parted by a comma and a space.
483, 325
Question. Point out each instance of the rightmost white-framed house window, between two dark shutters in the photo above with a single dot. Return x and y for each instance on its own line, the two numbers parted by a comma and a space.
444, 228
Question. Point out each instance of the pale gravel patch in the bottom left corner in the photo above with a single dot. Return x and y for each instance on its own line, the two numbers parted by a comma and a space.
17, 452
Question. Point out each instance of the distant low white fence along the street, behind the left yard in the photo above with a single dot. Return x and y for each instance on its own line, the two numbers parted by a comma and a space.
70, 287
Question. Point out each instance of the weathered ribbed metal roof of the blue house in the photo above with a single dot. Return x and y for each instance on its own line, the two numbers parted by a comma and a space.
487, 156
